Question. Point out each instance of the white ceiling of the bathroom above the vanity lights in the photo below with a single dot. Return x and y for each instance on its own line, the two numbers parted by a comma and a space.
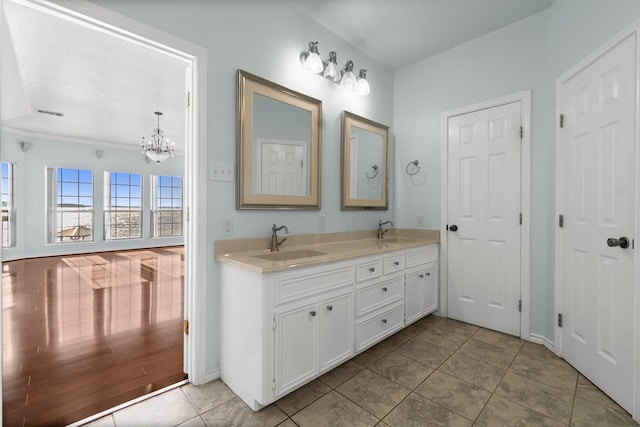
398, 33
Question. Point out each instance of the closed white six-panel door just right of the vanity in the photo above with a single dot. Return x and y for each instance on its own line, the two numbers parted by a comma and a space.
484, 182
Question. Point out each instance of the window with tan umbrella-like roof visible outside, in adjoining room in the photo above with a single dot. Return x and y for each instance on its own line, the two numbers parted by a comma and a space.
70, 205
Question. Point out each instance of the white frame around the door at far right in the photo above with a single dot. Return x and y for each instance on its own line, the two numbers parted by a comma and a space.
632, 30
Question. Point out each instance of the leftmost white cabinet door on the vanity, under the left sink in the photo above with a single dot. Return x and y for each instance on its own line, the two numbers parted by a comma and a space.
297, 346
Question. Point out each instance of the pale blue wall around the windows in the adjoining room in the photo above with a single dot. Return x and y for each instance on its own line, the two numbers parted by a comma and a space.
30, 195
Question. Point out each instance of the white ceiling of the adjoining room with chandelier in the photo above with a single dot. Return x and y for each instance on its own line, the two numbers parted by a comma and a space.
107, 89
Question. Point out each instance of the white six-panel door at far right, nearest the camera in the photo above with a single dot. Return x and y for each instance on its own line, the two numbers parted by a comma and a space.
596, 147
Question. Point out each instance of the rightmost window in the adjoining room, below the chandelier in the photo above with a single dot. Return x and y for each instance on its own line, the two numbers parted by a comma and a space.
166, 205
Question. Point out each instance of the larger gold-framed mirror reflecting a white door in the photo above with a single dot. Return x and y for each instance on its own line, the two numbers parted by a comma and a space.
278, 146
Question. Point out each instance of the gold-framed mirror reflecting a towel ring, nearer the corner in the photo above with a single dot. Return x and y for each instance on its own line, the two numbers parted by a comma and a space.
364, 163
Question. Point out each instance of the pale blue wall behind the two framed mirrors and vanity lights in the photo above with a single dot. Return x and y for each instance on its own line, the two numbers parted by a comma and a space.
265, 38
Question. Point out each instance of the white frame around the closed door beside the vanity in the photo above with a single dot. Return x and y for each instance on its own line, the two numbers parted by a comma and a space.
524, 98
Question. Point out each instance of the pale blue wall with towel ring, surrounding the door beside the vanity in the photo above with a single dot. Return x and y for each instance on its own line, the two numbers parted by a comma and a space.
529, 54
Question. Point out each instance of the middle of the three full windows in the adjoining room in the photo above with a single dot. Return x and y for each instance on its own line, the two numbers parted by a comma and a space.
123, 205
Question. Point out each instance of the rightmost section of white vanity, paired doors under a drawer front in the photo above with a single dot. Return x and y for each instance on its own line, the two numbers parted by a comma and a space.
421, 283
